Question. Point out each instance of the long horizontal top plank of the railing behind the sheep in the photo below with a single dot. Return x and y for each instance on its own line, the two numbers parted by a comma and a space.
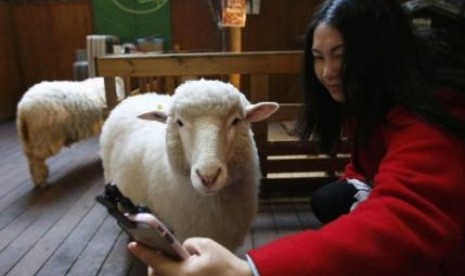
214, 63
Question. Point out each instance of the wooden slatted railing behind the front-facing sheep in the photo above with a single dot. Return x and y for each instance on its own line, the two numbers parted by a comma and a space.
289, 168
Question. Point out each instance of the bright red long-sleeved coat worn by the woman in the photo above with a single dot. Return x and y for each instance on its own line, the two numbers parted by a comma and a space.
413, 222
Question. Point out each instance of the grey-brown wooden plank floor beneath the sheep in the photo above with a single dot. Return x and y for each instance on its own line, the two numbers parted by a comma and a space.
60, 230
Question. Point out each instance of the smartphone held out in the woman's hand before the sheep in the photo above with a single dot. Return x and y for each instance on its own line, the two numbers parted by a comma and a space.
140, 224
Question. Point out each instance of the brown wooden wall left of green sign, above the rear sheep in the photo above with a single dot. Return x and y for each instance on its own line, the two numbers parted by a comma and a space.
41, 39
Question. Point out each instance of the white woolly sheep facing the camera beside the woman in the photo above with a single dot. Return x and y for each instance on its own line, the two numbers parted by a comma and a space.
196, 165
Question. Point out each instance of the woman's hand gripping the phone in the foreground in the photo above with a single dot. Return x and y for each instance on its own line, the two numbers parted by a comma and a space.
207, 258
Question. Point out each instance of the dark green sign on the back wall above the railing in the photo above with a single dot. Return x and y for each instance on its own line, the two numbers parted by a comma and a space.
133, 19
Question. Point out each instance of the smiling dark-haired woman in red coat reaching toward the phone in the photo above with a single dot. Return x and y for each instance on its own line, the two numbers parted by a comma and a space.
402, 103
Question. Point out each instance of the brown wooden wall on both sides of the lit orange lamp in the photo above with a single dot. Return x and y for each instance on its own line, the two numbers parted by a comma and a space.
279, 25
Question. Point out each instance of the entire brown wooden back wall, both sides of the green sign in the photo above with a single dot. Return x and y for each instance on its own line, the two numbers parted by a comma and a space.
39, 38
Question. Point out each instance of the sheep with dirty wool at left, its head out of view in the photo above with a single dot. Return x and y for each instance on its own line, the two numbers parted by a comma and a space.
54, 114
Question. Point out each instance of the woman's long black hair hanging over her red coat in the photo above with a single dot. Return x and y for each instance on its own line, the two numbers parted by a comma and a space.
386, 63
